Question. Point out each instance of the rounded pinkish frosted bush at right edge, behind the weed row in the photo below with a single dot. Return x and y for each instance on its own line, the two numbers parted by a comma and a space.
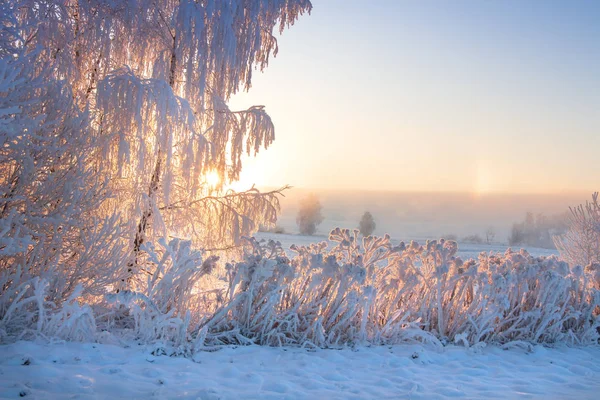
580, 245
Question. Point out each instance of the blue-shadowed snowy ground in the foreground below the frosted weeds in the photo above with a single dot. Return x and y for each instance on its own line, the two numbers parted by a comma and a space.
97, 371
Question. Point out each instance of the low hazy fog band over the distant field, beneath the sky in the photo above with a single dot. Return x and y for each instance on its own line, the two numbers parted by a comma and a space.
420, 215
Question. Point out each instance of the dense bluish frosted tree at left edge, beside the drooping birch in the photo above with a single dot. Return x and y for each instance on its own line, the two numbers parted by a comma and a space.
52, 242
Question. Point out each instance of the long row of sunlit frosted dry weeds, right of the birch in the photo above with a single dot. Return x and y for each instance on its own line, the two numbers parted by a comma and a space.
374, 292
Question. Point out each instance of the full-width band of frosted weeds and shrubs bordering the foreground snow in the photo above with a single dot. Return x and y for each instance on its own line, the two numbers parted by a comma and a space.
357, 292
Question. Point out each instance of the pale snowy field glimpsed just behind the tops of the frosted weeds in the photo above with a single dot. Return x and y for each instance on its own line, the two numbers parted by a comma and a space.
465, 250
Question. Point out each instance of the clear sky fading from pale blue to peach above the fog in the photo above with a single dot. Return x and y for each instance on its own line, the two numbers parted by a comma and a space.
434, 95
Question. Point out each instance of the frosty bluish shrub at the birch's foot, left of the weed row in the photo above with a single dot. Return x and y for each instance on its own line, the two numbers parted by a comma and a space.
165, 301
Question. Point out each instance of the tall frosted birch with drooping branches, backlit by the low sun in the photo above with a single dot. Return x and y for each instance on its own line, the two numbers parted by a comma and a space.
154, 77
